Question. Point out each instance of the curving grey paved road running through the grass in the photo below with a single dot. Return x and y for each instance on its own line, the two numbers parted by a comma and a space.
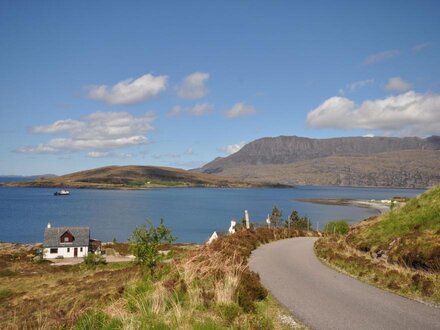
325, 299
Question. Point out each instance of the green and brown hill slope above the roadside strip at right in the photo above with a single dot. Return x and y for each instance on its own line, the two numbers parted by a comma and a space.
408, 235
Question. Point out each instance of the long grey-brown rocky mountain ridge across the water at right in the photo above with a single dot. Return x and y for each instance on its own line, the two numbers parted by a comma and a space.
352, 161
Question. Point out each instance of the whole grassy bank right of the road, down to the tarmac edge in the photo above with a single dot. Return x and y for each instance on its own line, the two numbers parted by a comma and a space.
399, 251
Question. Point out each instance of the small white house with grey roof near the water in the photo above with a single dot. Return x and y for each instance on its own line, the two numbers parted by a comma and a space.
66, 242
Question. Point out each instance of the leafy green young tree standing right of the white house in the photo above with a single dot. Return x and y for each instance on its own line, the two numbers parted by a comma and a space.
145, 241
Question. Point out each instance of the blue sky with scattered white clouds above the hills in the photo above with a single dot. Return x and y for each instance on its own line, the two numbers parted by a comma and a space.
87, 84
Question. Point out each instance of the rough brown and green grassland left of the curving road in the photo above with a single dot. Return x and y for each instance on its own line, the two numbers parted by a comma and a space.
200, 287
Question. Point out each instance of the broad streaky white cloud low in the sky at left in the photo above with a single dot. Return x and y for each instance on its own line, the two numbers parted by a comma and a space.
97, 132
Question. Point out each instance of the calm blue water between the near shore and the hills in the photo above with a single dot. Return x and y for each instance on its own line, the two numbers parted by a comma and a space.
192, 213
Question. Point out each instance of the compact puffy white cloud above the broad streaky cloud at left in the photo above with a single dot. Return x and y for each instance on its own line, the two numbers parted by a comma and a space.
129, 91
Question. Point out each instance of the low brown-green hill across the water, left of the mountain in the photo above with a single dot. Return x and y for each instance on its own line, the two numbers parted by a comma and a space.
135, 177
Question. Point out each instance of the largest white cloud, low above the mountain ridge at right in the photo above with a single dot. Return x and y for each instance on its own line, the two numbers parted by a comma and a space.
408, 113
